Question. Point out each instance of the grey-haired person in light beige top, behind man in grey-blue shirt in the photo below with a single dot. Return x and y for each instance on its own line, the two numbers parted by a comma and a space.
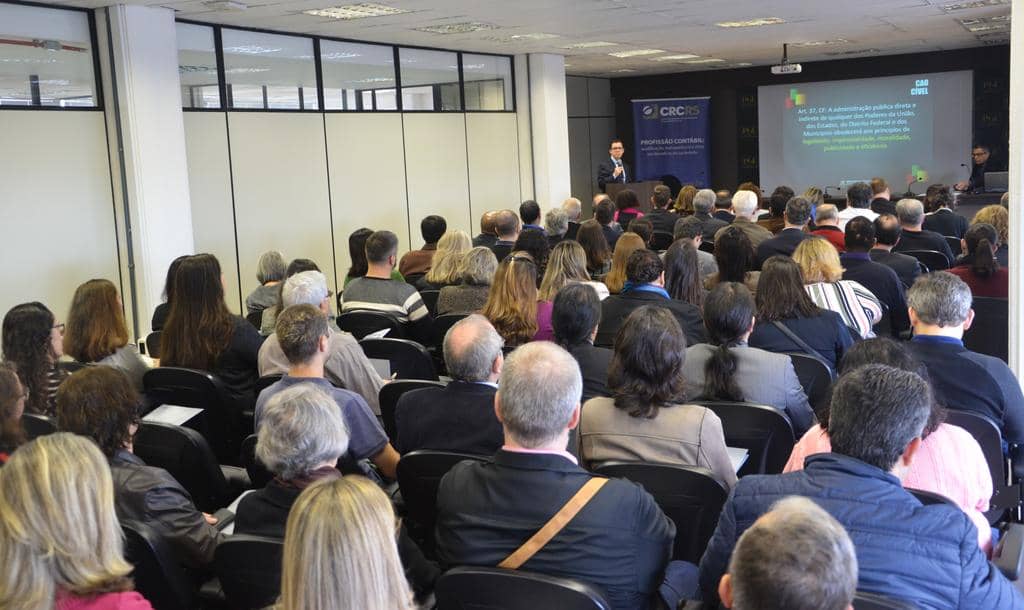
347, 366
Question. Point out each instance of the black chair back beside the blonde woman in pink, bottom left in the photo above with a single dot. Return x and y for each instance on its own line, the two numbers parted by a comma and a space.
158, 576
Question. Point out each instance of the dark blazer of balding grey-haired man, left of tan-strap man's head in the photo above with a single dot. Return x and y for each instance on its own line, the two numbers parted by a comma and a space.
459, 417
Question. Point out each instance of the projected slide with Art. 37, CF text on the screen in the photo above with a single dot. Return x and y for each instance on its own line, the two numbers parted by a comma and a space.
912, 129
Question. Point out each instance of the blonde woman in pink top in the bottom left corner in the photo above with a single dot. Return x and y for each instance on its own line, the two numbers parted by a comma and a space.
60, 539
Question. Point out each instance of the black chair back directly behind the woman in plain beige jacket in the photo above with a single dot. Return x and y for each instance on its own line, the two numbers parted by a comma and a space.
689, 495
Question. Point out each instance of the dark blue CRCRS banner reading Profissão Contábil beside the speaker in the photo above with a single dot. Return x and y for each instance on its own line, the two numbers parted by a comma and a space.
672, 140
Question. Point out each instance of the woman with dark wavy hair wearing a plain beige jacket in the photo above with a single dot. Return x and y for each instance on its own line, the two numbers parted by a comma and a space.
647, 420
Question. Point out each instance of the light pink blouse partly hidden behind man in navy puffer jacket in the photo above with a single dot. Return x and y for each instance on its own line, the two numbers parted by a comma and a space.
950, 463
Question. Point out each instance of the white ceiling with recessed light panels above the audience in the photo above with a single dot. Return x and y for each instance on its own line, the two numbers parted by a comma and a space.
867, 27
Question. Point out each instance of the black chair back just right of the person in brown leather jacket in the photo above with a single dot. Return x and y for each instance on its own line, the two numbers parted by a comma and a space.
186, 455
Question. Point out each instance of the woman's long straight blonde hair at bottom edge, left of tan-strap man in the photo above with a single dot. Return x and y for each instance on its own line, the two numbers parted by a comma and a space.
340, 550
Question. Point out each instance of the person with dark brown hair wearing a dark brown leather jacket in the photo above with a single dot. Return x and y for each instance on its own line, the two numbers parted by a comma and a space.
100, 404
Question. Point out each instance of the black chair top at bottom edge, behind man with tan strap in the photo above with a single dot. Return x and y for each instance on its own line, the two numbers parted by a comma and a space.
497, 589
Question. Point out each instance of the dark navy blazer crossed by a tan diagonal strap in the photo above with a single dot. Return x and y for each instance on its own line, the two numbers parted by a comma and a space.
620, 542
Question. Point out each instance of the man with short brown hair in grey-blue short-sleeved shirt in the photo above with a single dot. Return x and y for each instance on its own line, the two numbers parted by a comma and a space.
304, 336
